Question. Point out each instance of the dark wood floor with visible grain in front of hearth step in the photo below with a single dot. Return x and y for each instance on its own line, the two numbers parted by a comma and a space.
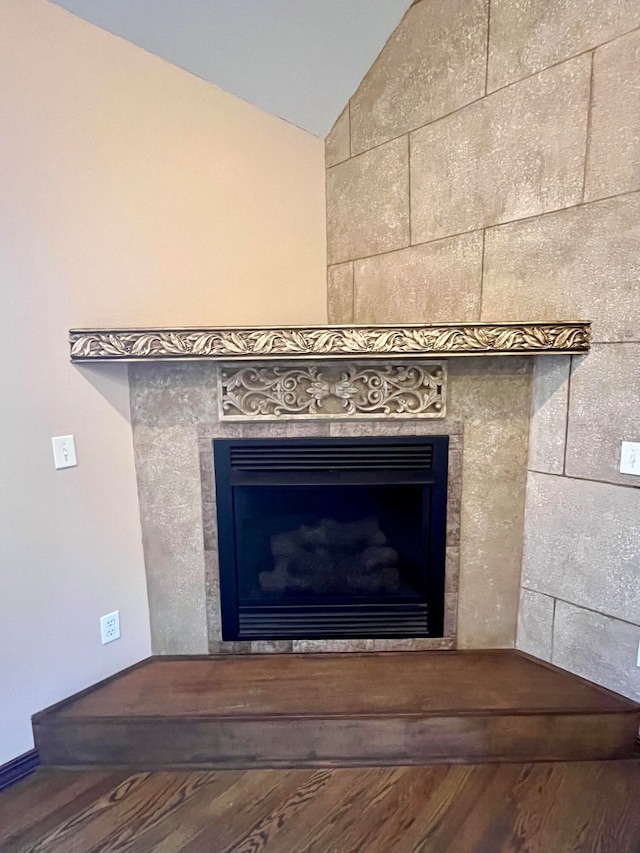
591, 807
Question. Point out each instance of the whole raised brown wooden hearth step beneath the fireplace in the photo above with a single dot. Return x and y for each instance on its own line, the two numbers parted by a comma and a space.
353, 709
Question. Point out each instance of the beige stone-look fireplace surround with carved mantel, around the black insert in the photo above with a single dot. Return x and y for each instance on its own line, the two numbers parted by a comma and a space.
177, 410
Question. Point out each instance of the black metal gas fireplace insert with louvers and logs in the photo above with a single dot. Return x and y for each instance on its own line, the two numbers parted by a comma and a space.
331, 538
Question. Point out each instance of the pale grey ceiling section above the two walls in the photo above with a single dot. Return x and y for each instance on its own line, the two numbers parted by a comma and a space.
298, 59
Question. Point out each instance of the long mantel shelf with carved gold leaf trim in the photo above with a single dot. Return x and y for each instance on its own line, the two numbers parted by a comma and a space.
329, 341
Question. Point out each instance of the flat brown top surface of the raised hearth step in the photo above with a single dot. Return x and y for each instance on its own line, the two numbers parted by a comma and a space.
323, 685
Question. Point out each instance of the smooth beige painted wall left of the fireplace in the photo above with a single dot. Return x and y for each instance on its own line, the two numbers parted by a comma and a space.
131, 193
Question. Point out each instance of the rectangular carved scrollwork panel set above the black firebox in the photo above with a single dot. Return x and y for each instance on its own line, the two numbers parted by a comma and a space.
332, 390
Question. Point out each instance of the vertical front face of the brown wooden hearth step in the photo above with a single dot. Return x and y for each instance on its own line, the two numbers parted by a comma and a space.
154, 744
